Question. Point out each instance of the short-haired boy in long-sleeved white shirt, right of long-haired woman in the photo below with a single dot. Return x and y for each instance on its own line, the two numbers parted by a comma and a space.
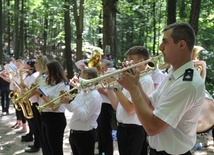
86, 108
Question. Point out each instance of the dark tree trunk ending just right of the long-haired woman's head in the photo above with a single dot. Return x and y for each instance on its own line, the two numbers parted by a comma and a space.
67, 51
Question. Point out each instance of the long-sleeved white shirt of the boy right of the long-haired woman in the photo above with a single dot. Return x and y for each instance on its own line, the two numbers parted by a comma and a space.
86, 108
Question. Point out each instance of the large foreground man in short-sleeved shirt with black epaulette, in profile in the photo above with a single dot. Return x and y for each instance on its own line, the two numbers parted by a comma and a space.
170, 114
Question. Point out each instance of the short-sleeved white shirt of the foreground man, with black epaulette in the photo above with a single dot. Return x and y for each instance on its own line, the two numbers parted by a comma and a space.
178, 103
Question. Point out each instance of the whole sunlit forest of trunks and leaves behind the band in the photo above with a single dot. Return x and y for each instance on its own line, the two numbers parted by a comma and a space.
70, 29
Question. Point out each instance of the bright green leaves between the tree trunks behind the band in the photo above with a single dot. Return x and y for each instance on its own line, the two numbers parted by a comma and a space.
138, 23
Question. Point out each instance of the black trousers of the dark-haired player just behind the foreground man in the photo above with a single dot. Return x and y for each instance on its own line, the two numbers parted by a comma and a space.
131, 139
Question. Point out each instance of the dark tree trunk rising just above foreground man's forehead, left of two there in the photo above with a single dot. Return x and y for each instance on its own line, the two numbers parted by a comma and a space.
171, 11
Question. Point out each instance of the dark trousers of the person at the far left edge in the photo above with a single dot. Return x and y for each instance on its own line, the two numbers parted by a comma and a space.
5, 101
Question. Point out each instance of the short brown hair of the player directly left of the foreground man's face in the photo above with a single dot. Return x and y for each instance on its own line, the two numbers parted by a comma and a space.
140, 51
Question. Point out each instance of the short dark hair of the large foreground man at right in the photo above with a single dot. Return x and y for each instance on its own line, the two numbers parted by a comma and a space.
182, 31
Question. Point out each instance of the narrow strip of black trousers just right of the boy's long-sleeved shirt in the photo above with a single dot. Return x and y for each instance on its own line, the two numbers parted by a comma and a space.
104, 130
